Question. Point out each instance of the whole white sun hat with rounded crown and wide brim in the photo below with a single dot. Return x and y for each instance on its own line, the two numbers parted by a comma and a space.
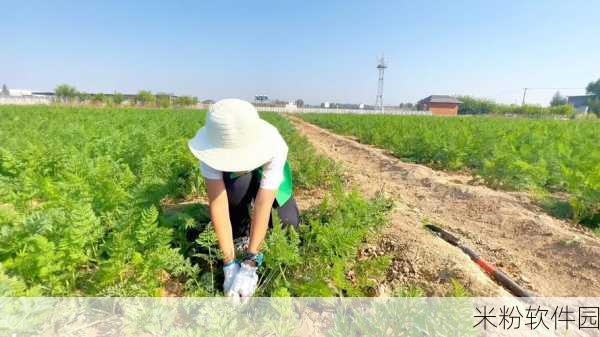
234, 138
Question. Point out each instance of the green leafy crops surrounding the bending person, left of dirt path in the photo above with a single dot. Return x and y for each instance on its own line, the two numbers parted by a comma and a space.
110, 202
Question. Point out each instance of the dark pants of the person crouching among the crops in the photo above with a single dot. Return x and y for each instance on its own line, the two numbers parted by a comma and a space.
240, 193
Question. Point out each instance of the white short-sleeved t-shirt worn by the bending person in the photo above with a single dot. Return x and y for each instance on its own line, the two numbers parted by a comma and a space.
272, 169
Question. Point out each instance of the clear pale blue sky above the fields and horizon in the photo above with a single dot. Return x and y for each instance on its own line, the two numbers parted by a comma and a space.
315, 50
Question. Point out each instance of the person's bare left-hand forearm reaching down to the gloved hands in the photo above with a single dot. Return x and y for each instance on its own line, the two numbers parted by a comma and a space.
219, 214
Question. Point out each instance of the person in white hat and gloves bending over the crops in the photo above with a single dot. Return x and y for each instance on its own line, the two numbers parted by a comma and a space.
244, 163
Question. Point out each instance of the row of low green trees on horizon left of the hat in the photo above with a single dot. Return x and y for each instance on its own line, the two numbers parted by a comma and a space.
69, 94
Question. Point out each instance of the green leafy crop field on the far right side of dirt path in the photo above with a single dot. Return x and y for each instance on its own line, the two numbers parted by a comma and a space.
558, 160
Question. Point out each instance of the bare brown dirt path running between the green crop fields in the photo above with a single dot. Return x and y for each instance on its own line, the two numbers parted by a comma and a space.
547, 255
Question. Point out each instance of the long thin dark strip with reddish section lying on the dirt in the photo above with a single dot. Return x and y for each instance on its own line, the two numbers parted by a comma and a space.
489, 268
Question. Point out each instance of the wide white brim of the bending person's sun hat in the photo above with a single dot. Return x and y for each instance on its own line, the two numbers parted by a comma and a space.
246, 158
